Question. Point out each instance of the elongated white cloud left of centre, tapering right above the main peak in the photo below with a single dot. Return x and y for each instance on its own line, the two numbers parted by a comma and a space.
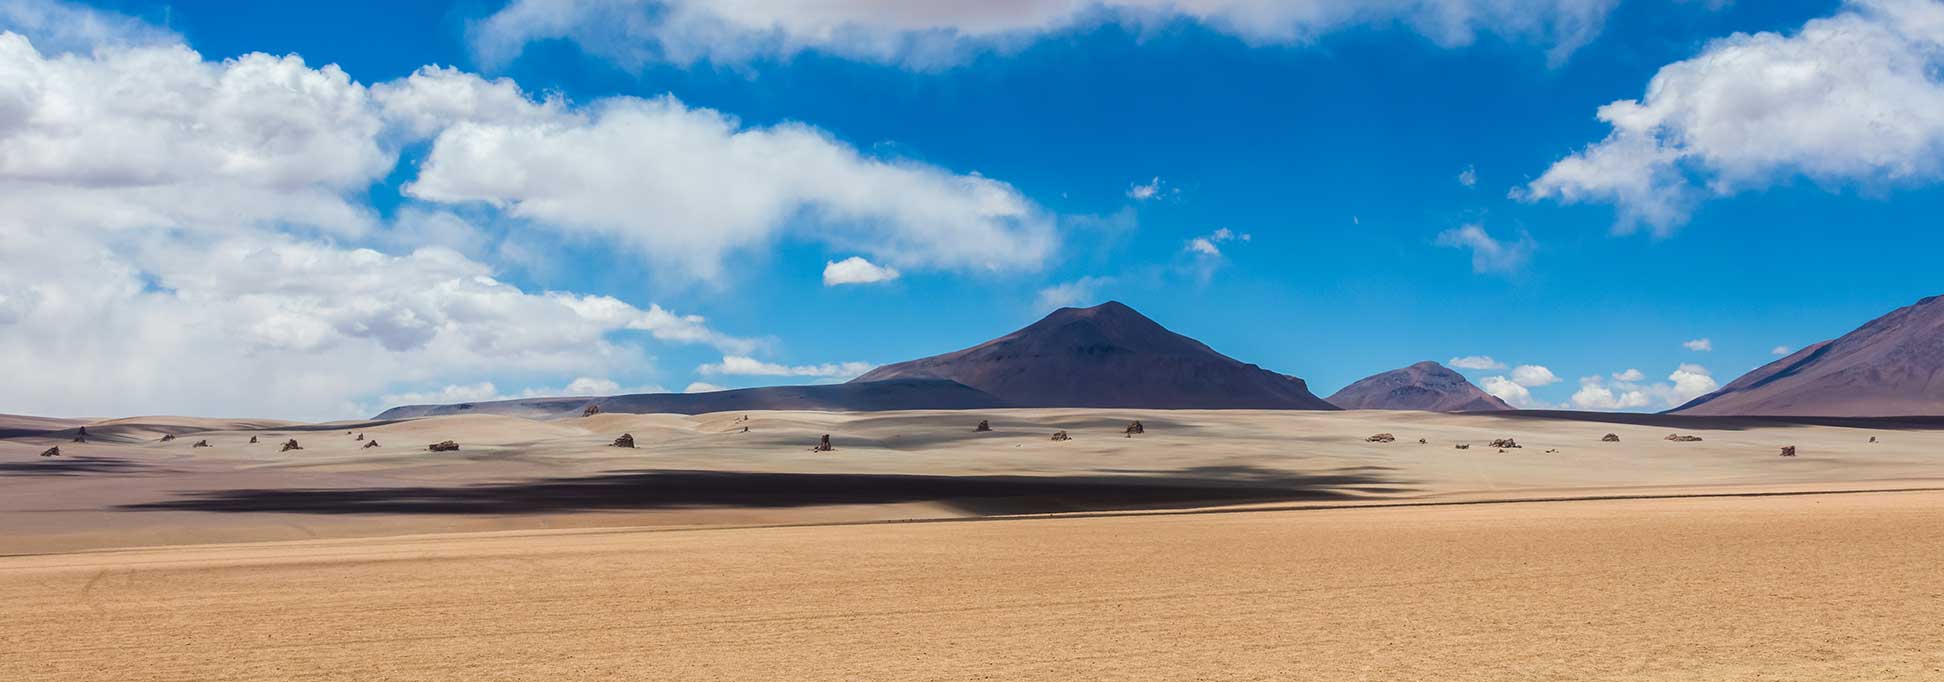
689, 188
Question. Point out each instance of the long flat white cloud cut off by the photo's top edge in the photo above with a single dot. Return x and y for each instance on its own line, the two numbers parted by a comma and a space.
936, 34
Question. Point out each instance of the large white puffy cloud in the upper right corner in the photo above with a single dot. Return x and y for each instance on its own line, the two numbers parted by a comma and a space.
1846, 100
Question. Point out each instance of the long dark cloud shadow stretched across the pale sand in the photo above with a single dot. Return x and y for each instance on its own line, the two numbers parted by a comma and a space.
699, 491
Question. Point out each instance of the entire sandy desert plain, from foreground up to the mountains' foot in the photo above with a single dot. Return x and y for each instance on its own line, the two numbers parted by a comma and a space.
1235, 545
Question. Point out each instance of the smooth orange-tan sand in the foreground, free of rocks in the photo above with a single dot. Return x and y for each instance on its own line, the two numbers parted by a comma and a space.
1807, 588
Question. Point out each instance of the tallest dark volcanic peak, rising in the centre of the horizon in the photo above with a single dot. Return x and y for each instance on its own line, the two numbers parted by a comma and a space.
1107, 357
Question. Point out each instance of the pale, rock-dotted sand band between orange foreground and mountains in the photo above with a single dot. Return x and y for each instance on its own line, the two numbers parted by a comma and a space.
127, 489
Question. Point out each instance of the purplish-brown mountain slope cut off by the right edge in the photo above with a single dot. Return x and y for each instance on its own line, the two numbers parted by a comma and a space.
1892, 366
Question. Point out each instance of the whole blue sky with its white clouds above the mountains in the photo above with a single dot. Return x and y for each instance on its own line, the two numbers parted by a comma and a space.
1391, 176
